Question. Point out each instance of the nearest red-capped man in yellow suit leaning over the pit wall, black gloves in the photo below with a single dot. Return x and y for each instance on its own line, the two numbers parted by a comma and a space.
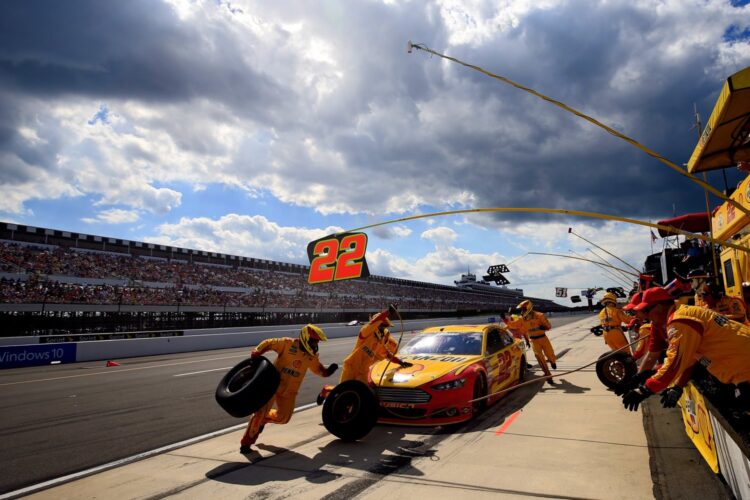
695, 334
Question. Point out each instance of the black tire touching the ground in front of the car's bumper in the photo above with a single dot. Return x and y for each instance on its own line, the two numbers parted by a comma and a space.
351, 410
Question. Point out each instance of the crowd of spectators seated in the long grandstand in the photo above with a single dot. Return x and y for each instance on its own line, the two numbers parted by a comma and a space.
57, 275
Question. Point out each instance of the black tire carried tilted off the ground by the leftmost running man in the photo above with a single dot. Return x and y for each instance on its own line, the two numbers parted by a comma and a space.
248, 386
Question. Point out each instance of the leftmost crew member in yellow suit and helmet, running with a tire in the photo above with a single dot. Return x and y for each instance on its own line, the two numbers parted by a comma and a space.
294, 358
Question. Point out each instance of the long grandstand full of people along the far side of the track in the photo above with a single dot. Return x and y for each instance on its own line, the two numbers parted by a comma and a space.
54, 281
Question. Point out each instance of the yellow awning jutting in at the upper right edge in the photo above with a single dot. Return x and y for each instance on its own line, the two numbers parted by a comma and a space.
726, 138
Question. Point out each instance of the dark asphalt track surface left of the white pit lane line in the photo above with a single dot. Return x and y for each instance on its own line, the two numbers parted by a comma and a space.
61, 419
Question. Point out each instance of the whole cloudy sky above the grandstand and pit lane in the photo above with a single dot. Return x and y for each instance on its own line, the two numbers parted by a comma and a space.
252, 128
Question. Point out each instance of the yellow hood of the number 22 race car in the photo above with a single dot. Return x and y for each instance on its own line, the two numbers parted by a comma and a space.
425, 369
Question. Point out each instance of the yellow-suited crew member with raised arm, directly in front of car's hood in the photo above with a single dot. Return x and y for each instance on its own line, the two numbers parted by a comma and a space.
374, 343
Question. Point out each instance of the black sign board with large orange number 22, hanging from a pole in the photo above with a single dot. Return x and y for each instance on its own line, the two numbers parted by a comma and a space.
337, 257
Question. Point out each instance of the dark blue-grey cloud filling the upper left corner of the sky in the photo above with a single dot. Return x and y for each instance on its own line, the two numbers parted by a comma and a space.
132, 49
